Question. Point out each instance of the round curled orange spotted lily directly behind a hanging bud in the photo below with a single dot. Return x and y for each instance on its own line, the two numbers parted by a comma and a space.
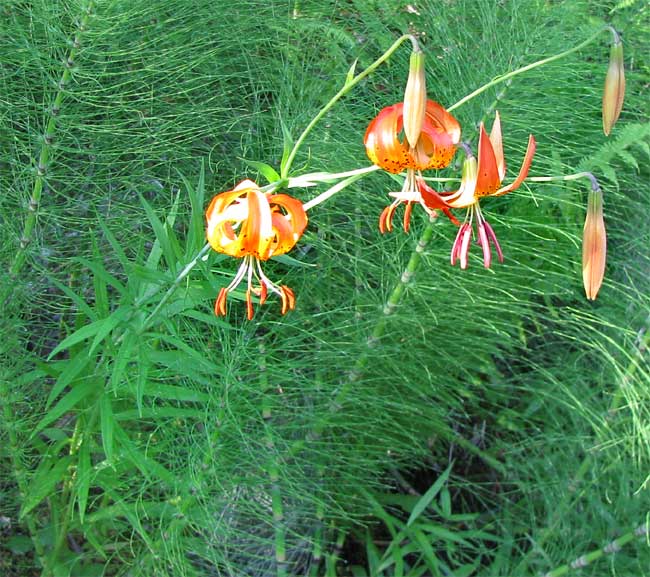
387, 147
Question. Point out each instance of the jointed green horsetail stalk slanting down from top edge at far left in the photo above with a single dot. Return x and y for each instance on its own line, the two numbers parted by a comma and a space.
46, 148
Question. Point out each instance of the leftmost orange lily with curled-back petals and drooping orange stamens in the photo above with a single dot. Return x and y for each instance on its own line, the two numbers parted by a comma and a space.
250, 224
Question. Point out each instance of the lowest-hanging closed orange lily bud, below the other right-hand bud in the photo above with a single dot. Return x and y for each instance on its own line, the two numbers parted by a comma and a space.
594, 245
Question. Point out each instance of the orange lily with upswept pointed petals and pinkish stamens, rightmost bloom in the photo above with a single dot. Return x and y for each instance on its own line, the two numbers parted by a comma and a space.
483, 178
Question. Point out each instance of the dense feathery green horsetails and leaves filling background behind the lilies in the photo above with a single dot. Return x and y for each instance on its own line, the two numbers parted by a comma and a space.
498, 427
